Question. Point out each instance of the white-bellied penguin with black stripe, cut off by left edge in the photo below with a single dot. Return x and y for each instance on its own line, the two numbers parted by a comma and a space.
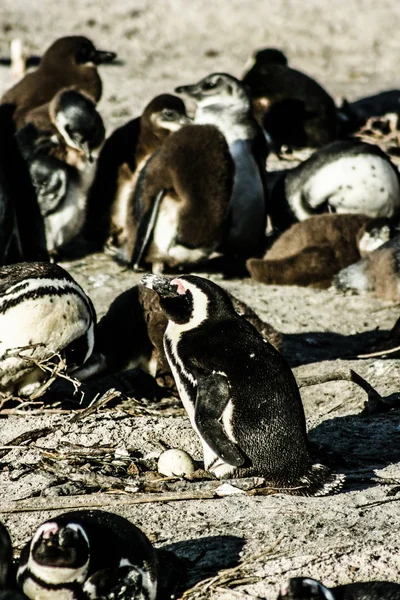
43, 311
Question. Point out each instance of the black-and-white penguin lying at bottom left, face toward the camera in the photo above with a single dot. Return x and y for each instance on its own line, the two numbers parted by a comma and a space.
87, 553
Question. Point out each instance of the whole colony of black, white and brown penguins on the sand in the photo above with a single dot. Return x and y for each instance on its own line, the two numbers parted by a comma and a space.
165, 193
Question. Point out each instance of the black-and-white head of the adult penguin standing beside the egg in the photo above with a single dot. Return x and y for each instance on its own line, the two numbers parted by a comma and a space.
190, 300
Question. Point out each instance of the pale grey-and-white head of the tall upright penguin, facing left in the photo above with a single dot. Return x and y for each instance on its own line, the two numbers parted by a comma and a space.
217, 88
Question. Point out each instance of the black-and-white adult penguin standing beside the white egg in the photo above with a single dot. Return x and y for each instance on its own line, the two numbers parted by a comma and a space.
239, 393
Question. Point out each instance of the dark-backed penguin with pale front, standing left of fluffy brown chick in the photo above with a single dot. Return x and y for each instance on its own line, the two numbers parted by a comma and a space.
121, 159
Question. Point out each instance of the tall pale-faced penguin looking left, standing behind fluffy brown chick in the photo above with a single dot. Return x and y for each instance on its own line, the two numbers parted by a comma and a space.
223, 101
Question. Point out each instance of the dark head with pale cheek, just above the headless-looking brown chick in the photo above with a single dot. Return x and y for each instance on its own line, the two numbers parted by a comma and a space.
165, 114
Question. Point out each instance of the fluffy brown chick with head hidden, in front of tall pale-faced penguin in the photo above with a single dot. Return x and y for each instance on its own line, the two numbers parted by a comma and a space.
182, 201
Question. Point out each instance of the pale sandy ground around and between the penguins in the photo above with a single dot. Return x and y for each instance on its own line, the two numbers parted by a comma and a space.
352, 47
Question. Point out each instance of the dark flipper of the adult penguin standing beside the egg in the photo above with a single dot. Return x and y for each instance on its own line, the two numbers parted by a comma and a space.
213, 395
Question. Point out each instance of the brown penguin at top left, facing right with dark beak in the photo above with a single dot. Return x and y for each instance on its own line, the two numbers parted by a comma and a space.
69, 61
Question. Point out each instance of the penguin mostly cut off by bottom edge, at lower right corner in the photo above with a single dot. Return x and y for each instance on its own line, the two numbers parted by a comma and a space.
305, 588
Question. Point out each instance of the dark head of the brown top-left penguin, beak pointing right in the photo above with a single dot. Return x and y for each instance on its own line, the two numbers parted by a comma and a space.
74, 50
